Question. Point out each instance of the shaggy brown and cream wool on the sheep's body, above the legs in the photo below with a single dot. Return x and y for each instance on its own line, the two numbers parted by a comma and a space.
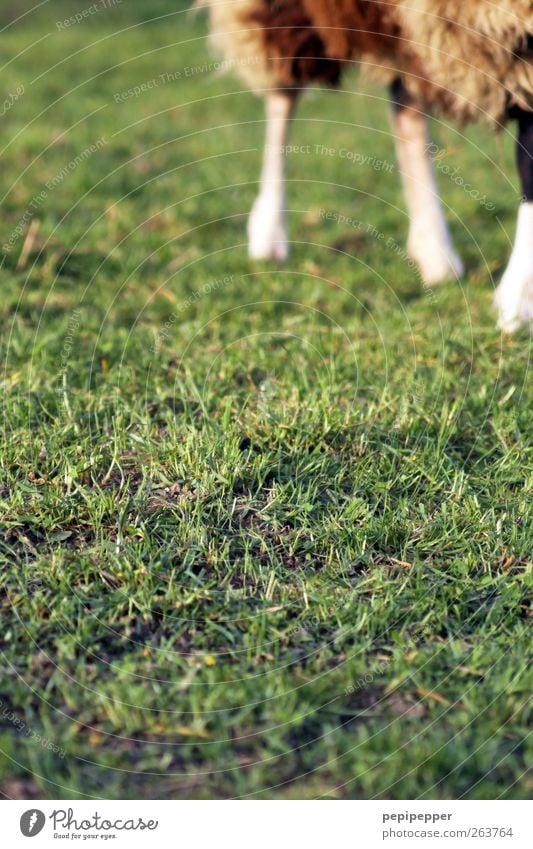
469, 59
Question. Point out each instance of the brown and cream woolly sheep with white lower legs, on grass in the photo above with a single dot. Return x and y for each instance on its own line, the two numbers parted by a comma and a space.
466, 59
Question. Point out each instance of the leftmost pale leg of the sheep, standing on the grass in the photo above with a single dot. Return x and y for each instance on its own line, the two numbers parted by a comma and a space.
267, 226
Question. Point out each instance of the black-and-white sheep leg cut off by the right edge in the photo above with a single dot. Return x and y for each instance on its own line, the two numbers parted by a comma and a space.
514, 295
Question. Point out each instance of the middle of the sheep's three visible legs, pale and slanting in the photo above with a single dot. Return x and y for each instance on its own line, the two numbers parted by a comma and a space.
429, 242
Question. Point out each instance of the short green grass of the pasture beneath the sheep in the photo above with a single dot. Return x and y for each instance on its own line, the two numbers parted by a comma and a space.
270, 540
